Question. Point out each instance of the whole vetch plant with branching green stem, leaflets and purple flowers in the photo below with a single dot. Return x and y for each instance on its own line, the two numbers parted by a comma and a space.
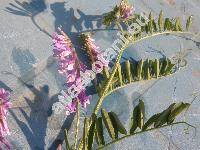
119, 76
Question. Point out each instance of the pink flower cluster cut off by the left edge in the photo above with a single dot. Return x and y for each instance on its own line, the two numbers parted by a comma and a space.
4, 105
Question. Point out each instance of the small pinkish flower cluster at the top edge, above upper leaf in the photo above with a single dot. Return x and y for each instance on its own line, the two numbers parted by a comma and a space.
125, 9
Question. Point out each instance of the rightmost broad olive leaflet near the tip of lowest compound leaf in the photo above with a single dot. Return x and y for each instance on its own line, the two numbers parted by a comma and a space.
177, 109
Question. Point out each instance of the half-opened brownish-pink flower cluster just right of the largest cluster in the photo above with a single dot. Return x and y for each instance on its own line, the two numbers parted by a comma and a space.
92, 50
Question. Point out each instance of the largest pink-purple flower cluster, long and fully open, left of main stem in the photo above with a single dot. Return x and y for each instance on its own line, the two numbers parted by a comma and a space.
70, 67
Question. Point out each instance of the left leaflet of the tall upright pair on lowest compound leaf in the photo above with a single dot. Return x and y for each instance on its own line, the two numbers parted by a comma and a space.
134, 120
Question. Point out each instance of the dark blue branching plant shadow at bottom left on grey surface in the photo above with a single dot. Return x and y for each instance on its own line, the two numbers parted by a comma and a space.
34, 128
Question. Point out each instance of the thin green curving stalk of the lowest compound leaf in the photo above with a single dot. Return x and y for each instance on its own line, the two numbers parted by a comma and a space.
140, 132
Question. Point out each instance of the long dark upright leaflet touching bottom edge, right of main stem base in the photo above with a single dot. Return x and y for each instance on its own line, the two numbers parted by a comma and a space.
91, 132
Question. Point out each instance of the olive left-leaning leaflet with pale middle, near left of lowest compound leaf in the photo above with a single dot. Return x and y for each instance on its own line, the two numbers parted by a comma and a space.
108, 123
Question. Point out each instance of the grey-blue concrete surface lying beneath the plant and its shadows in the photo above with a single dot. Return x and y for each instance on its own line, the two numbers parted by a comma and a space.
28, 70
